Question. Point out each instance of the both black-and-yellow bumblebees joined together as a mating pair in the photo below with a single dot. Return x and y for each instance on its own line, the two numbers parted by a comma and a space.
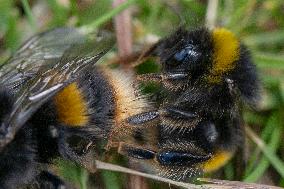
55, 102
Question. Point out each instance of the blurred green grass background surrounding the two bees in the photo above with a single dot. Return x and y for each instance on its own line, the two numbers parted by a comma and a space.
259, 23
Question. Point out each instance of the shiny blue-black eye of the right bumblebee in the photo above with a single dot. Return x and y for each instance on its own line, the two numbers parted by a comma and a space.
187, 54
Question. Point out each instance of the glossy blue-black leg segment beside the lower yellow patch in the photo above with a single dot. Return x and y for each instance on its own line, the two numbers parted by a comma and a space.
181, 158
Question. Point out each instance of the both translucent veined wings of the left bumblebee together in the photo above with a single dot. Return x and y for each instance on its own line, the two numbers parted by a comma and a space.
43, 80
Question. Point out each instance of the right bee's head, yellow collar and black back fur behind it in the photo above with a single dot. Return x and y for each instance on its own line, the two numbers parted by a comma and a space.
212, 58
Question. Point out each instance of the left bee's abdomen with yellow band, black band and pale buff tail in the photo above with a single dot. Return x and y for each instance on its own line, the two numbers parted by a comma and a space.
101, 97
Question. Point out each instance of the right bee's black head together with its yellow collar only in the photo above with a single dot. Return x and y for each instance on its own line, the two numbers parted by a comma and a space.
200, 53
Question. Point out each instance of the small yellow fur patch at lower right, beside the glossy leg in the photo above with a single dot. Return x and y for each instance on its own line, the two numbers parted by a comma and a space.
219, 159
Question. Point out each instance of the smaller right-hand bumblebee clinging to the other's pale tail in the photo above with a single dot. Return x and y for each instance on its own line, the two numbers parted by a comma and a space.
207, 76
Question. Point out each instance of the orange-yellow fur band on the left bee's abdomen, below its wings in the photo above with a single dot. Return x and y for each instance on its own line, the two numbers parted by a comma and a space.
71, 106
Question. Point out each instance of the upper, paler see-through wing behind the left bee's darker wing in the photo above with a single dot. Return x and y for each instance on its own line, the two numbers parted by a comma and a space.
42, 49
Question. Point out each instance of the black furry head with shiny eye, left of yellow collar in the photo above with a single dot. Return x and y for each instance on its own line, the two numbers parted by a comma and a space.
186, 52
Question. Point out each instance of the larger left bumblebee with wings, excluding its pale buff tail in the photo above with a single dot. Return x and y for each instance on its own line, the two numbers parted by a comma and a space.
43, 113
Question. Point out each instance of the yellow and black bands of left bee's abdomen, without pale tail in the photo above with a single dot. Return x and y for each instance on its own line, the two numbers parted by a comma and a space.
88, 101
